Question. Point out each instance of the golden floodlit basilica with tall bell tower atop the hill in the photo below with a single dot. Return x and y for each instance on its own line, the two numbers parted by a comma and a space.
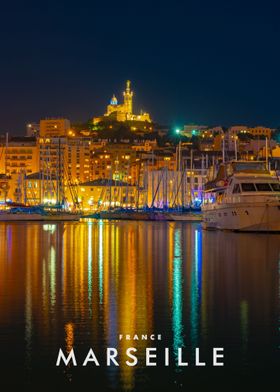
124, 111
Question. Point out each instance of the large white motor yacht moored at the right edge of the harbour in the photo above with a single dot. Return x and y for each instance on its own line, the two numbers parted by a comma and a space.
245, 196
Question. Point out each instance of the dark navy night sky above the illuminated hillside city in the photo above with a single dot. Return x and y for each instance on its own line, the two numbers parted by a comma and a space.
209, 62
